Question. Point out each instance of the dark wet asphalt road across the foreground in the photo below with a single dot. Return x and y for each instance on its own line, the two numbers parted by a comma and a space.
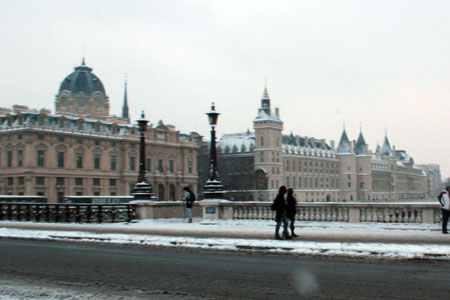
119, 272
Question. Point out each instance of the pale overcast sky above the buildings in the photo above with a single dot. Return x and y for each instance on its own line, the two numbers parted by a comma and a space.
378, 65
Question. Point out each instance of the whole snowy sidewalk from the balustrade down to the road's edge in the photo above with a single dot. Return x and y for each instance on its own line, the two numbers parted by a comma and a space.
405, 241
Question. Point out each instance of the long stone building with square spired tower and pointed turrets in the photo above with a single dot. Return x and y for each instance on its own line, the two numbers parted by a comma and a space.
252, 165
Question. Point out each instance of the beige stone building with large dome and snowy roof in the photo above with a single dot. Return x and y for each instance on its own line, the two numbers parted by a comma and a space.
83, 150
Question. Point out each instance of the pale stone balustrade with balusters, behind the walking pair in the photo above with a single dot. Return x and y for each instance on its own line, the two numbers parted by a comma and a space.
355, 212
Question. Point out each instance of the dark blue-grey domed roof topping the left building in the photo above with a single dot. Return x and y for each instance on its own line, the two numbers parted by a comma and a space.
82, 80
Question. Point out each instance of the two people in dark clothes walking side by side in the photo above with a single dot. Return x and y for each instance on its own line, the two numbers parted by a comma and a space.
286, 209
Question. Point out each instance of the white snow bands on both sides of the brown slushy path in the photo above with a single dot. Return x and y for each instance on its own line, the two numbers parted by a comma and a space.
247, 227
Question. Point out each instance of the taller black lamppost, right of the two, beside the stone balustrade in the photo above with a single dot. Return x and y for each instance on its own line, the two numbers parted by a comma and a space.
213, 188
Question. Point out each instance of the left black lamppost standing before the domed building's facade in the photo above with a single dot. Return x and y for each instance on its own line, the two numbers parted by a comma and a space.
142, 189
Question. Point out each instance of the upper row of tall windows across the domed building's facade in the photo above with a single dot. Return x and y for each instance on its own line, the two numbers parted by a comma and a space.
79, 159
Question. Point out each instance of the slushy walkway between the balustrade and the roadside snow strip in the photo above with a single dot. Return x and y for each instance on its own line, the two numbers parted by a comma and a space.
307, 231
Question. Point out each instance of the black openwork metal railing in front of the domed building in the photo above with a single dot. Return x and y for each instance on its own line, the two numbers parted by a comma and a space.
68, 213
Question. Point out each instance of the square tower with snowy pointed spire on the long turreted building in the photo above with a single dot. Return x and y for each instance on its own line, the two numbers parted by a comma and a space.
268, 159
